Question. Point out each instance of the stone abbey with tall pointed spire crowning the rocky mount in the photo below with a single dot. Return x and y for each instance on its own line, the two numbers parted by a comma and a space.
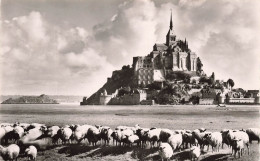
174, 55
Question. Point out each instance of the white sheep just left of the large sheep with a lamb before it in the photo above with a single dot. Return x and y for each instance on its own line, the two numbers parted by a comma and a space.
214, 139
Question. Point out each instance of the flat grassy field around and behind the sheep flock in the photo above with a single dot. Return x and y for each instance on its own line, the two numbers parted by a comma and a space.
173, 117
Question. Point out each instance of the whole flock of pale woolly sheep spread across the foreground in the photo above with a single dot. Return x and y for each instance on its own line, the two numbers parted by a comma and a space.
24, 139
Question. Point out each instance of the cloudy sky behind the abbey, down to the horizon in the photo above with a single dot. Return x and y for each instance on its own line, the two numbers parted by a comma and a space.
64, 47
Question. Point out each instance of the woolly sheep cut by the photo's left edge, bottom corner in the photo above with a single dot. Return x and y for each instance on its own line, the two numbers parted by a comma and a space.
10, 152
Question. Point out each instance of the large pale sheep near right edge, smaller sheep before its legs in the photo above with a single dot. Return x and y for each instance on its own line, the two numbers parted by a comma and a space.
238, 135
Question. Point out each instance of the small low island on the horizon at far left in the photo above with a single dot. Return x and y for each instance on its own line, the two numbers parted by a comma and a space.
42, 99
